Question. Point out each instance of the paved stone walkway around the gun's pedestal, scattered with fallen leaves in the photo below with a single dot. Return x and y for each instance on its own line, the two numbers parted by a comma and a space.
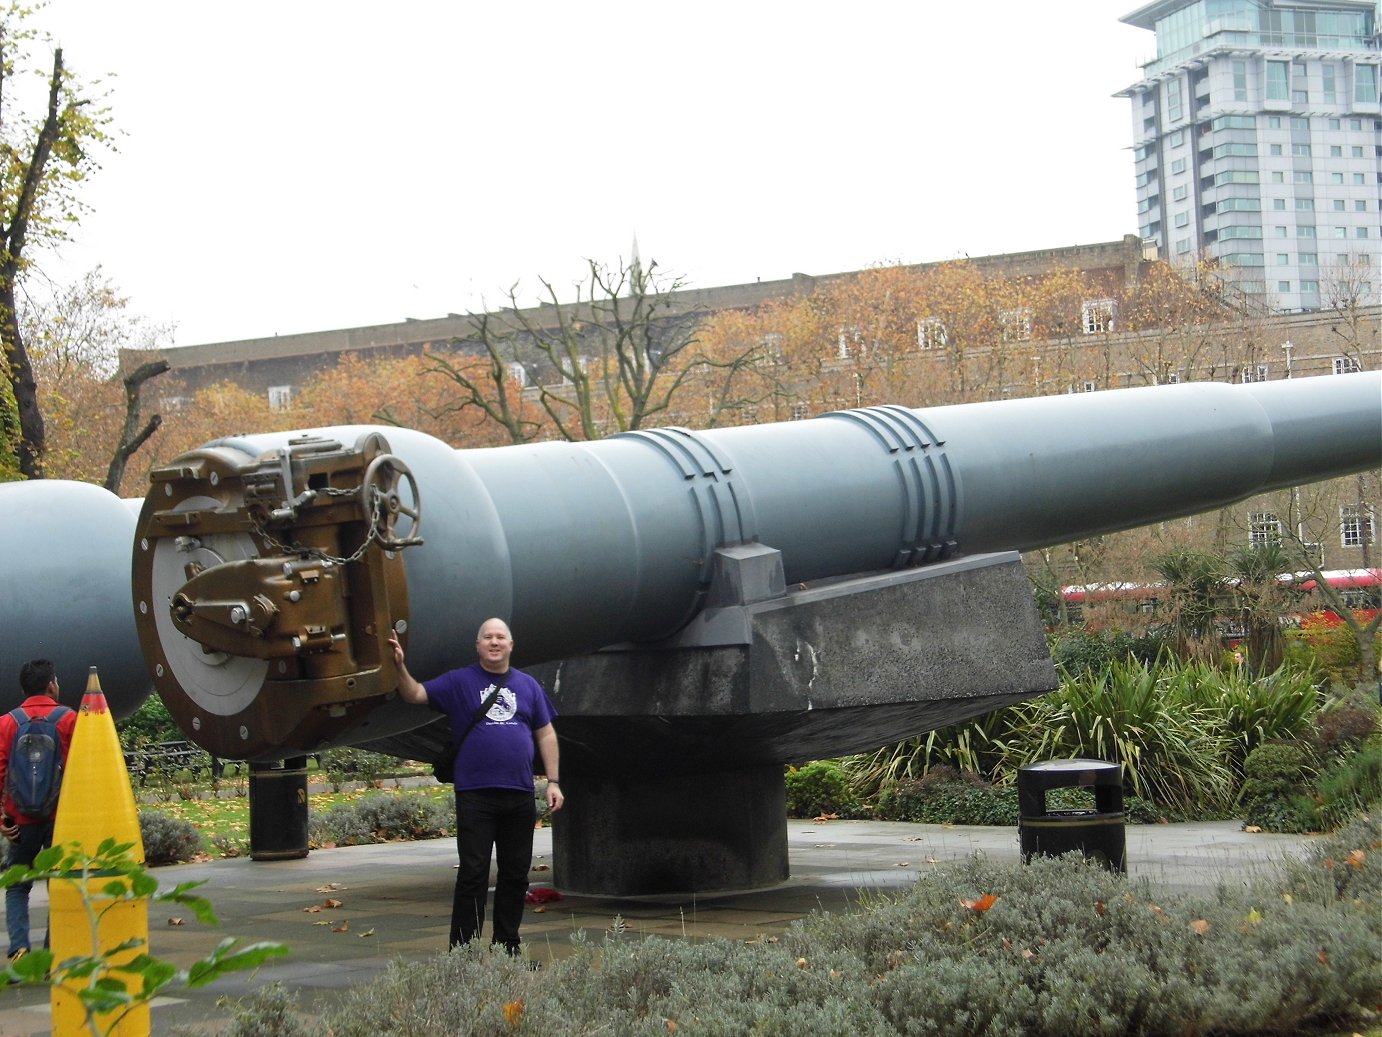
396, 902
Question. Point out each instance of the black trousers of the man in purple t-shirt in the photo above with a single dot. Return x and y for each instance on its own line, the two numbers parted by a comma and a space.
501, 821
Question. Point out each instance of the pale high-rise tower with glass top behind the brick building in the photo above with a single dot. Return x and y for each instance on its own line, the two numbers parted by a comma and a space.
1258, 144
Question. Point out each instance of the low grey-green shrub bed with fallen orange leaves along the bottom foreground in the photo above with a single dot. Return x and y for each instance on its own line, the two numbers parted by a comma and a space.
1058, 949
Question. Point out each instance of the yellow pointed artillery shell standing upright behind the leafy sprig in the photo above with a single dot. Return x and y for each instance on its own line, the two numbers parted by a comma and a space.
97, 804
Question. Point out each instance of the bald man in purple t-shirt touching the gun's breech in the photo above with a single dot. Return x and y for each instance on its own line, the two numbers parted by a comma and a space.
495, 808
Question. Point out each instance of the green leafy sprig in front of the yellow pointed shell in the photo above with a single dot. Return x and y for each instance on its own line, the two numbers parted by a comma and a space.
113, 982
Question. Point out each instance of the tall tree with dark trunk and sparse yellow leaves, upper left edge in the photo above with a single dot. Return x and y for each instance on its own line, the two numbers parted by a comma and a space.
45, 160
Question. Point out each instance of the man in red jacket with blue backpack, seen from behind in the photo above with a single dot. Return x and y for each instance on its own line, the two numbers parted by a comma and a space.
35, 740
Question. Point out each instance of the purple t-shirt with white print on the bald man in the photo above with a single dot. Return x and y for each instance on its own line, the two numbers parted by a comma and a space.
500, 750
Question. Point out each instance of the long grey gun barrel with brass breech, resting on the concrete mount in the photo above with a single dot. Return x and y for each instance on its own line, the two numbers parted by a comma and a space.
265, 617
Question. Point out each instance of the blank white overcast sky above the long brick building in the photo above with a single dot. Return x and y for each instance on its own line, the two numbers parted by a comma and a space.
298, 165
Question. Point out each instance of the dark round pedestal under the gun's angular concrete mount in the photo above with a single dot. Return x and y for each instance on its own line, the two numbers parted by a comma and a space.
624, 836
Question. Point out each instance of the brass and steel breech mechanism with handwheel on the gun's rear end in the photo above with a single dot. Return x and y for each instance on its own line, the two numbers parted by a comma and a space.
267, 586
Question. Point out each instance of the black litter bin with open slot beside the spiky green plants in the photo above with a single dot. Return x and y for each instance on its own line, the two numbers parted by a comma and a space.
1097, 833
